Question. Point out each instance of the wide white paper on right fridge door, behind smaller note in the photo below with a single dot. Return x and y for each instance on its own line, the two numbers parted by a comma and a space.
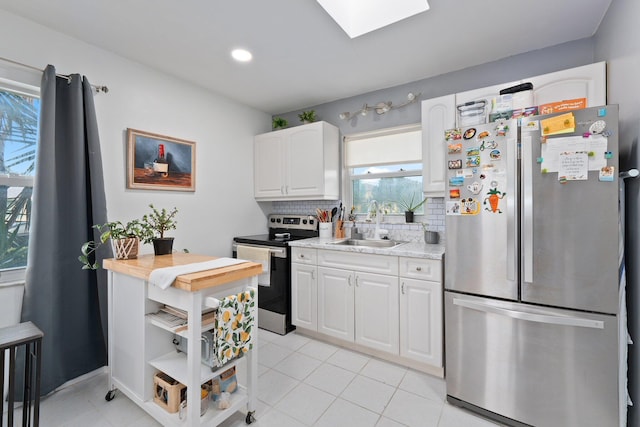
595, 146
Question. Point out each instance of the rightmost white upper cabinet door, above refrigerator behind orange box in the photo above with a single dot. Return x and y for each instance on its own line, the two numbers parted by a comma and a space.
588, 82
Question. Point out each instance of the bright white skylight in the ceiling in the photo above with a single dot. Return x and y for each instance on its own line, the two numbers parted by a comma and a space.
357, 17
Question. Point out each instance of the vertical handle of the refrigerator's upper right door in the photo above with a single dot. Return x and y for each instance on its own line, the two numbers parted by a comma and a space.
527, 208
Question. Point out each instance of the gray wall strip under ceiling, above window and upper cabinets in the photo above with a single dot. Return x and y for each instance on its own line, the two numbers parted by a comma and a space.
567, 55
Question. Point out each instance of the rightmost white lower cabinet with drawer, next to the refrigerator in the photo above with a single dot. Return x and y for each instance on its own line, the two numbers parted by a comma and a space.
421, 317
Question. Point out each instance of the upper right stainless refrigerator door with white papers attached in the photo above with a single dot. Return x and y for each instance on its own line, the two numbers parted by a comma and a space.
570, 230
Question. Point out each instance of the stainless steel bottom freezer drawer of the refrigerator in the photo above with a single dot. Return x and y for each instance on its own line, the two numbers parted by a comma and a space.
539, 366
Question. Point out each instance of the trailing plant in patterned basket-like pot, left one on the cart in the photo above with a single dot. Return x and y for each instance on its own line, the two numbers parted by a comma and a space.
124, 239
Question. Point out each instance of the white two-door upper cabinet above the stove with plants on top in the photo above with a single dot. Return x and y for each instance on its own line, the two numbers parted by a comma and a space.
299, 163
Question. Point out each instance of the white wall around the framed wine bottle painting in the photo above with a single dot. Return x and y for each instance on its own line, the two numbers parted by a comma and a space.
142, 98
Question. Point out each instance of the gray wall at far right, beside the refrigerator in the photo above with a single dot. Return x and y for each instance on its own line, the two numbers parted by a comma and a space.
617, 43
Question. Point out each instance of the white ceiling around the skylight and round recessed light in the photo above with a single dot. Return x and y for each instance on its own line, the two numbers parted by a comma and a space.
301, 57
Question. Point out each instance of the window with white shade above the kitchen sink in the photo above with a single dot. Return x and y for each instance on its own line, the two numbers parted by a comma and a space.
385, 166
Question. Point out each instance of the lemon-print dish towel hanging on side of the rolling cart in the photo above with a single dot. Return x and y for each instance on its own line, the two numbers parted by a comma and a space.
234, 324
